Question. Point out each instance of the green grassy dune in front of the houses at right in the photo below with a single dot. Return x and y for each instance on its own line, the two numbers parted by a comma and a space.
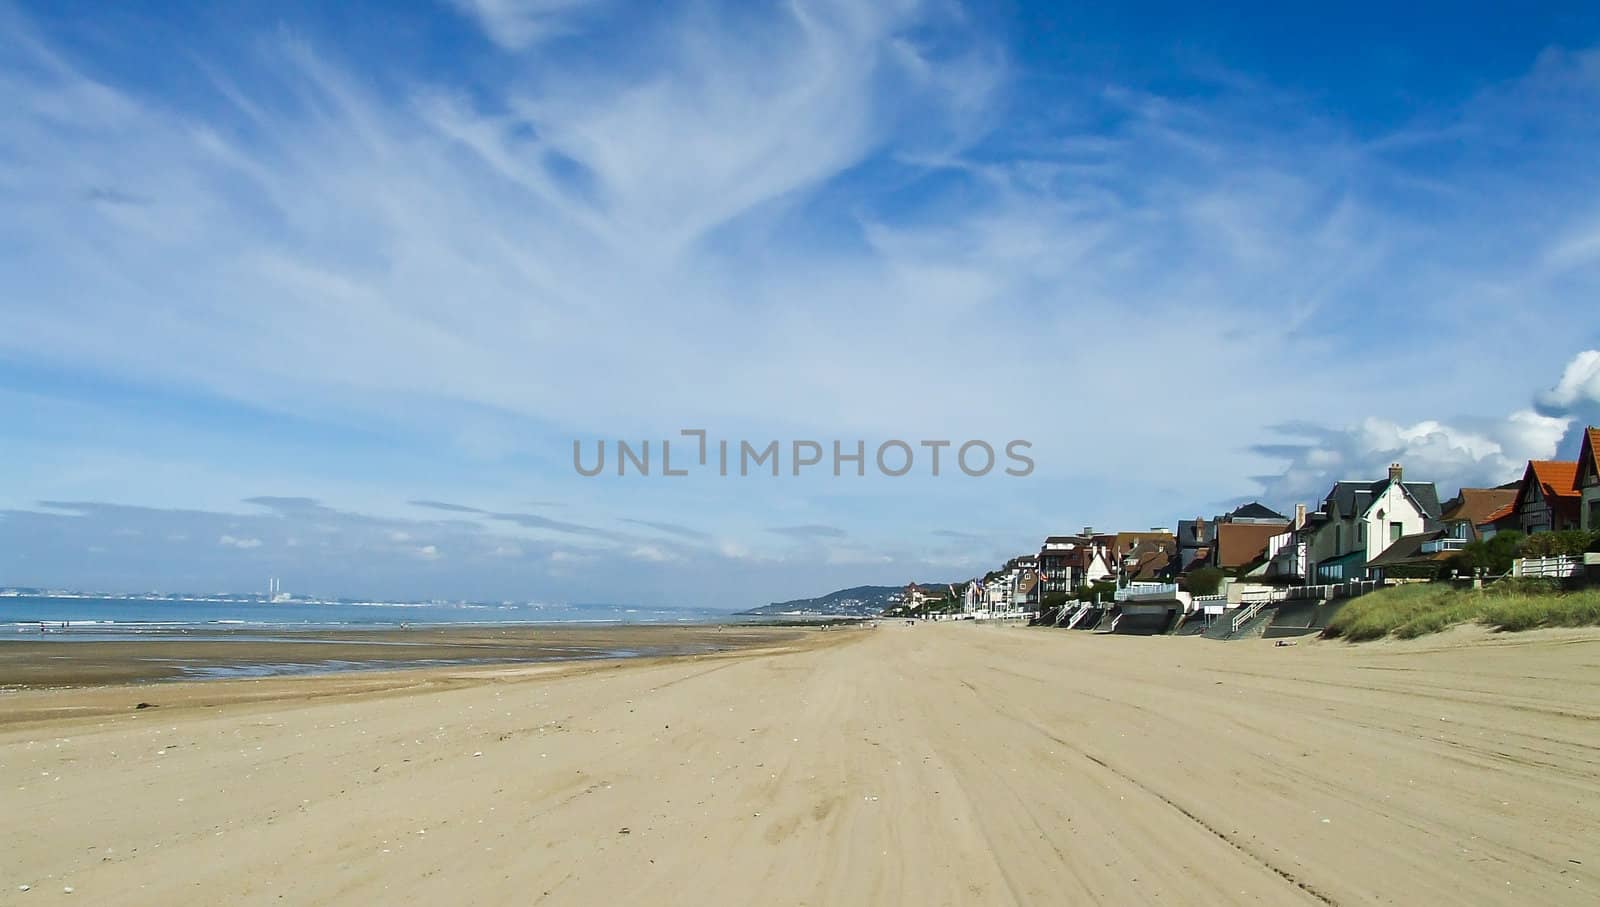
1426, 609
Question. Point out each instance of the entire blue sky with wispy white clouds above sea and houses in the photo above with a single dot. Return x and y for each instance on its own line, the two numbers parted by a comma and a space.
327, 292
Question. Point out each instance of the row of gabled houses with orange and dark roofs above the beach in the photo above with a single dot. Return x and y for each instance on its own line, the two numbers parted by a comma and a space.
1370, 529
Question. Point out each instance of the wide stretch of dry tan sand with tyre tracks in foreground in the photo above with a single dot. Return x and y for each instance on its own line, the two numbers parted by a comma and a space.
906, 765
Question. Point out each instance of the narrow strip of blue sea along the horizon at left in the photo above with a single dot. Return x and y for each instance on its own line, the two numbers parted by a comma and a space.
122, 618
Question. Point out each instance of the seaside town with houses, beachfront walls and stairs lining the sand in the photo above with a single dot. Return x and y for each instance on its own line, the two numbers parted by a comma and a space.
1362, 535
